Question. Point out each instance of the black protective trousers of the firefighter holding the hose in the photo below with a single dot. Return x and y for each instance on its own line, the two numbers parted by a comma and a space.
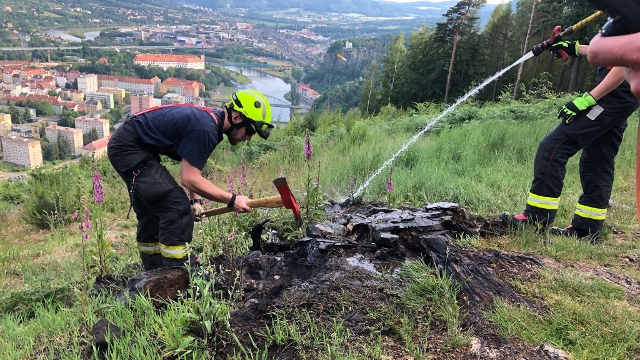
598, 133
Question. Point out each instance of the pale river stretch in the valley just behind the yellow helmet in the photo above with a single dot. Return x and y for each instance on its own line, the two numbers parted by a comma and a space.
269, 85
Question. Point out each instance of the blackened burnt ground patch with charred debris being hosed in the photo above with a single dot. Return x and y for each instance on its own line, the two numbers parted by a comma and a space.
344, 276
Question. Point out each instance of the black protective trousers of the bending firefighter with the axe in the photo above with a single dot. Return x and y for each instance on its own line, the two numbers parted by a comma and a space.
165, 220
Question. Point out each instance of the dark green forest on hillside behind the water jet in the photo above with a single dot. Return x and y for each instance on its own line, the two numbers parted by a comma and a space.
414, 68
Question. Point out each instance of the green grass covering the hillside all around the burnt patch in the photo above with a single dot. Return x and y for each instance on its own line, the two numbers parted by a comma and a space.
480, 158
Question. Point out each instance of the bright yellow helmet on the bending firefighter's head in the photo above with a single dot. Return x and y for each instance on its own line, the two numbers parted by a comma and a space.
255, 109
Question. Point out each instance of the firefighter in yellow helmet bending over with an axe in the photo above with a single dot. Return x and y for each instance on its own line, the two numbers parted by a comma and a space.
188, 134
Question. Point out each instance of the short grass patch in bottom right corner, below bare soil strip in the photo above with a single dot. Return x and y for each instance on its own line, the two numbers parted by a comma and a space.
586, 316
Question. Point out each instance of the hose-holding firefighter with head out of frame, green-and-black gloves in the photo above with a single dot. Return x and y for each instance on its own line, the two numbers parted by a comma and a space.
593, 123
